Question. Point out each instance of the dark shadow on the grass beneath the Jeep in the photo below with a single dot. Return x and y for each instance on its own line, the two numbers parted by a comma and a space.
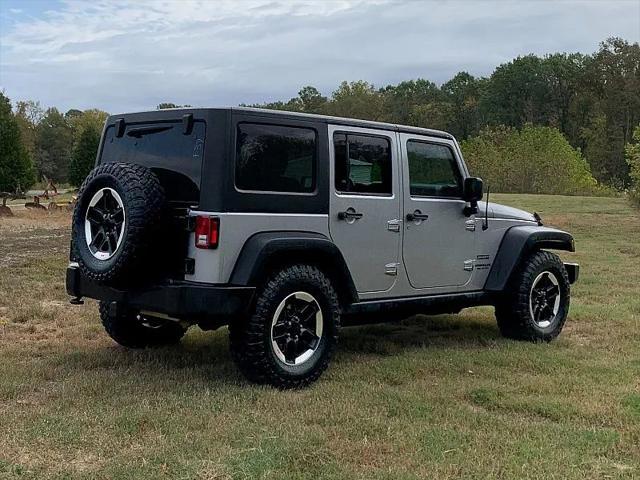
205, 357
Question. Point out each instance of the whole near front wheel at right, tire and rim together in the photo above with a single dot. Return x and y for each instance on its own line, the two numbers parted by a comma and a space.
536, 303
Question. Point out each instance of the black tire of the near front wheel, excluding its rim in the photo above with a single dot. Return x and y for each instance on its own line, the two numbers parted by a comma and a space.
513, 312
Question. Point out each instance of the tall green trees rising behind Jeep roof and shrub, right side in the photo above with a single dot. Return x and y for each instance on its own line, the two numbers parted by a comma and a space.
592, 100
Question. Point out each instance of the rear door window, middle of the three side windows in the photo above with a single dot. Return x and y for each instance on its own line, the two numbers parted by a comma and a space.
363, 164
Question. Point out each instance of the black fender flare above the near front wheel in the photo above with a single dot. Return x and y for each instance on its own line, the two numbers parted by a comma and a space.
517, 243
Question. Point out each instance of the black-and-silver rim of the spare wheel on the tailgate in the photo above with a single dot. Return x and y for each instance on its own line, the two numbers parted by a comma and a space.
104, 223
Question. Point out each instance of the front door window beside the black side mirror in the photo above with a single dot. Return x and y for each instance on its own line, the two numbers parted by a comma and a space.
433, 171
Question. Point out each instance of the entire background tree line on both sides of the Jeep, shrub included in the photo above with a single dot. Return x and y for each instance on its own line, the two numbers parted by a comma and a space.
547, 115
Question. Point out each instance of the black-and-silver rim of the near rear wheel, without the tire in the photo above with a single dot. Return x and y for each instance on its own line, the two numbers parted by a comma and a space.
296, 329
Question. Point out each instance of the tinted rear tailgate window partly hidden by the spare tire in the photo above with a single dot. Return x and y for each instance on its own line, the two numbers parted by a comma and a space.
174, 157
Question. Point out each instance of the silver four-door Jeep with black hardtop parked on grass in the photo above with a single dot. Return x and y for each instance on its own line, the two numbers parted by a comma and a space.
283, 226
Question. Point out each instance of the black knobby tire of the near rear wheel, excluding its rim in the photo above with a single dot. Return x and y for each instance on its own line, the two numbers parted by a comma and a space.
250, 337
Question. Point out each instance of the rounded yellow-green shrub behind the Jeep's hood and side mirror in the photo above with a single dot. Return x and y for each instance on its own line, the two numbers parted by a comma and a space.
531, 160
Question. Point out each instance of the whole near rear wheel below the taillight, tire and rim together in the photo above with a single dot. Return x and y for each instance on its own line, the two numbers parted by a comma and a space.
289, 339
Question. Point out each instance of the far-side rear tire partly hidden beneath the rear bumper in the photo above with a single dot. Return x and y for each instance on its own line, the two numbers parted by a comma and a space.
129, 331
